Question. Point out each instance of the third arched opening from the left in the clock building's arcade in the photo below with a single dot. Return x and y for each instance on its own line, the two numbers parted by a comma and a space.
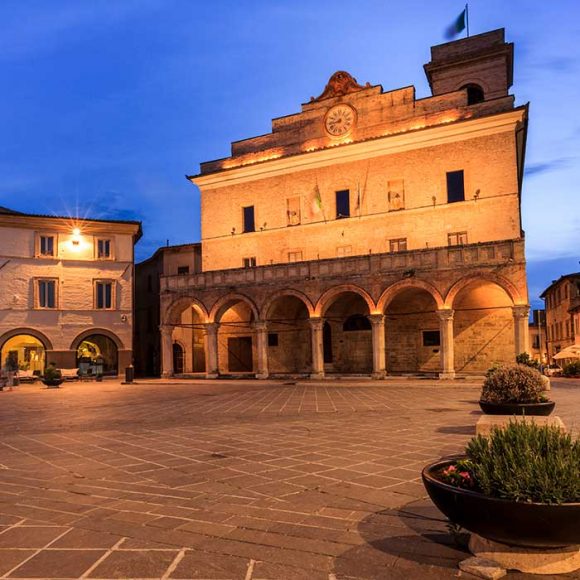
289, 342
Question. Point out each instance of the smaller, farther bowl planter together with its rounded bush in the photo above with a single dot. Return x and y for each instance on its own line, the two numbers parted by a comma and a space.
514, 390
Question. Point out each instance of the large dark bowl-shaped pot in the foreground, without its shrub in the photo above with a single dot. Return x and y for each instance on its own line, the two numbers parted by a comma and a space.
532, 525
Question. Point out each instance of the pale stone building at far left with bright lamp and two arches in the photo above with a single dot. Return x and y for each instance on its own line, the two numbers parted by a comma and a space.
67, 291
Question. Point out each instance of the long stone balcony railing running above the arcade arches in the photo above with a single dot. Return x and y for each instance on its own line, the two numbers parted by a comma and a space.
485, 254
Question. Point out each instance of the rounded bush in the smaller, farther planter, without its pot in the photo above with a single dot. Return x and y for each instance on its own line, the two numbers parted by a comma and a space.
512, 384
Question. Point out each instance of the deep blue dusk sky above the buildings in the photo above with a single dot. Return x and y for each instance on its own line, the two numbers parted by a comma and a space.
106, 105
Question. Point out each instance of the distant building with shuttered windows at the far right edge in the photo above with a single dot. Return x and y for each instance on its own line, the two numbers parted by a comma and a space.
562, 299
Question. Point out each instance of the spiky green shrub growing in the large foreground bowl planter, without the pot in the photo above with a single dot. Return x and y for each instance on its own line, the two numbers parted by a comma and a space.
525, 462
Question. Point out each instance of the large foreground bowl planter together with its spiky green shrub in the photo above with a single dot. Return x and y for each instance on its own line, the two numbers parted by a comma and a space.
519, 486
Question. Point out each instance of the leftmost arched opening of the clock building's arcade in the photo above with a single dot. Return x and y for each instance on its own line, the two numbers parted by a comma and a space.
188, 334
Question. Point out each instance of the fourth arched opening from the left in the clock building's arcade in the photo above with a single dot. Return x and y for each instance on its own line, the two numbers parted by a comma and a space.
348, 345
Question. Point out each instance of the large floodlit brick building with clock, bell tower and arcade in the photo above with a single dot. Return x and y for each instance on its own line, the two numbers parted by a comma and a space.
370, 233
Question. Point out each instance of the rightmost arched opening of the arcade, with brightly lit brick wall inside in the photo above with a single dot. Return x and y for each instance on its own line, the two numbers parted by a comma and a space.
483, 327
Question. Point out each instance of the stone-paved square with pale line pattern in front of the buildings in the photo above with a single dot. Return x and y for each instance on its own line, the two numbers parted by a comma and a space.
237, 479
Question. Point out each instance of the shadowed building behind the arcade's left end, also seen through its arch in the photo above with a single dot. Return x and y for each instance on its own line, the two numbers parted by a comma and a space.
182, 260
